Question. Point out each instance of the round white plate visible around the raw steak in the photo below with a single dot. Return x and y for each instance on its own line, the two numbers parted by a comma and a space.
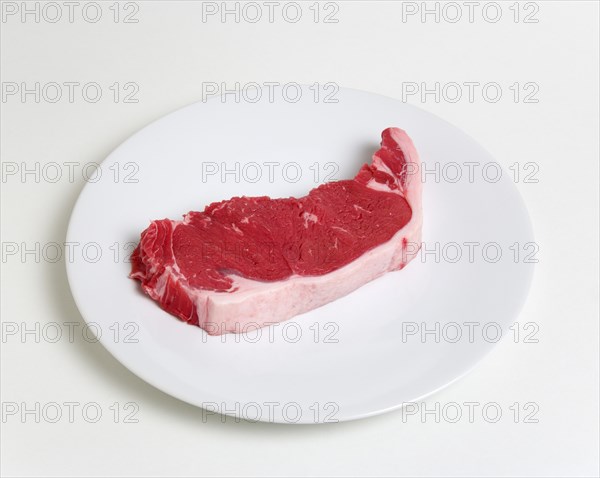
356, 357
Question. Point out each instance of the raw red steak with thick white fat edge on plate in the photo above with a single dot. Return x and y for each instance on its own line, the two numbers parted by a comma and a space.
248, 262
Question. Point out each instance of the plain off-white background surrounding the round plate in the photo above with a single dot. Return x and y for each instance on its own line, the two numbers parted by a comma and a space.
169, 53
